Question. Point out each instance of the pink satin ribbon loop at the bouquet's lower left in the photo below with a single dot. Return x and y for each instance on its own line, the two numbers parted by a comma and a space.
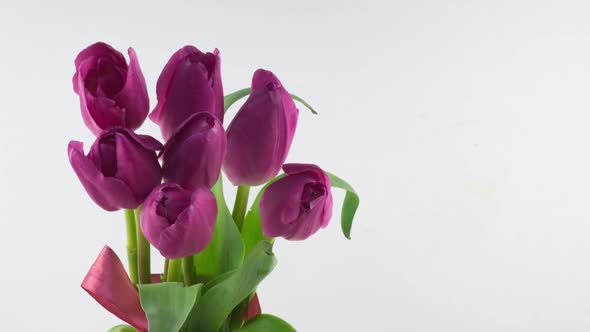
108, 283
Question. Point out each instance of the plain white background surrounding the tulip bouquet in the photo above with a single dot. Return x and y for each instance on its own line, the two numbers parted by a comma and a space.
462, 124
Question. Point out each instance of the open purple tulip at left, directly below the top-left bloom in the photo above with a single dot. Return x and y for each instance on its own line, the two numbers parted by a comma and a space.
120, 170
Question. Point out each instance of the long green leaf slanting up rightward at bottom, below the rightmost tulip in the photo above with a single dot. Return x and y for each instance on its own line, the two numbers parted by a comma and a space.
218, 302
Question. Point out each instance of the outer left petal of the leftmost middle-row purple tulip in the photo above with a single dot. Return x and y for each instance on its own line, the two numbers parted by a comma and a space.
109, 193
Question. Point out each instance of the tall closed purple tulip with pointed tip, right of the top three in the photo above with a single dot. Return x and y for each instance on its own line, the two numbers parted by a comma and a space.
260, 135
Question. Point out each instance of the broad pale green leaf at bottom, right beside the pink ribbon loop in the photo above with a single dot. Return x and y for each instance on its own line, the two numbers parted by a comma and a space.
168, 305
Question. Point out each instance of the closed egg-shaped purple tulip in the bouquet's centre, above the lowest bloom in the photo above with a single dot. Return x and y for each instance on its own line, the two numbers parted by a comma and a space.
193, 155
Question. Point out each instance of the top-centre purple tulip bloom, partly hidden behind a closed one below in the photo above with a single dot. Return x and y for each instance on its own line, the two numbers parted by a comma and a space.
190, 83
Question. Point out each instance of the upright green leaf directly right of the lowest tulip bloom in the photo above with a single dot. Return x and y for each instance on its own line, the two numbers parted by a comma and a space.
225, 252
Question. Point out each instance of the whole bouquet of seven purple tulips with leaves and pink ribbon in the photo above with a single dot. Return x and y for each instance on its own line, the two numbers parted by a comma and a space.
172, 193
